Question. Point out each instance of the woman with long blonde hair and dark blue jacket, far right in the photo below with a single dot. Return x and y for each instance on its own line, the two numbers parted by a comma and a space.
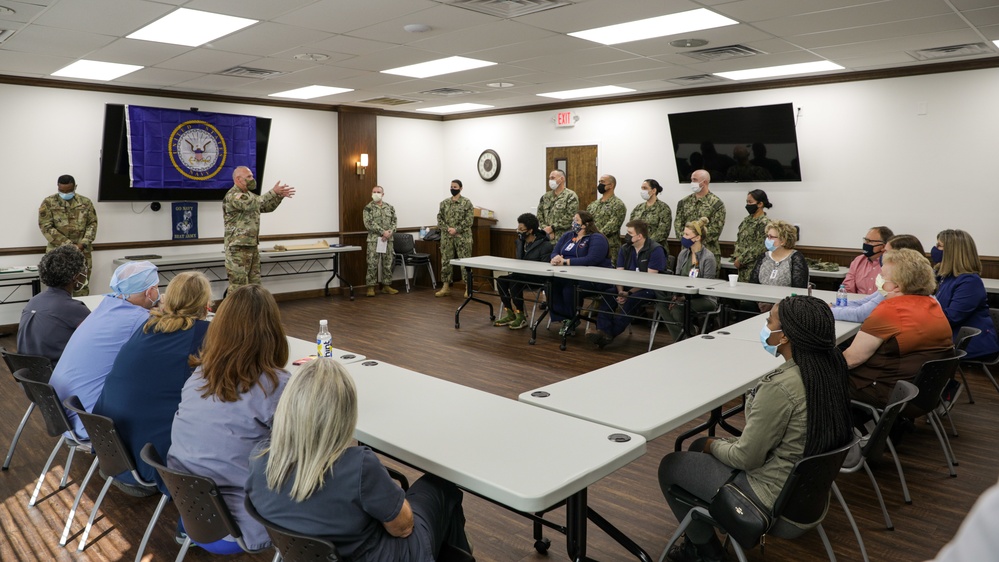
962, 294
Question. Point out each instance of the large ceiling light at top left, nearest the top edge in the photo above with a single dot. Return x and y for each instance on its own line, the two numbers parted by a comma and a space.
190, 27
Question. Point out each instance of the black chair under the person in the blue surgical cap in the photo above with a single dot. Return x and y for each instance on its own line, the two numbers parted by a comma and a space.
57, 424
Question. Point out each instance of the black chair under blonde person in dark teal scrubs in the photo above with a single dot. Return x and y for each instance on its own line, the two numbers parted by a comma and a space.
113, 457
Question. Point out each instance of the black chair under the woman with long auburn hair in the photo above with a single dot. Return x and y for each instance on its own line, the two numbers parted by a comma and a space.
202, 508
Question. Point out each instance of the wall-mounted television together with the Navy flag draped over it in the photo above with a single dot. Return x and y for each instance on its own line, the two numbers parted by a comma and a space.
153, 154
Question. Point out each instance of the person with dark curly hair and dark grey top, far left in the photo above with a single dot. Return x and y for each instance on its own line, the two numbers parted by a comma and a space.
51, 317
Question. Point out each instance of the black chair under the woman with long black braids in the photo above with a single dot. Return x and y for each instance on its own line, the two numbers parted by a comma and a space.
804, 497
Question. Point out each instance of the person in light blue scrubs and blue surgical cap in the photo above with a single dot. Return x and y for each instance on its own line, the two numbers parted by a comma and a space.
91, 351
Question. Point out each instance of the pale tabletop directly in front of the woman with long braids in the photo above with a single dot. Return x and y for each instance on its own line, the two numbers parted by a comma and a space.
656, 392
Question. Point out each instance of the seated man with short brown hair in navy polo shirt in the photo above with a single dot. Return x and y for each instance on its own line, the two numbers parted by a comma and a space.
639, 253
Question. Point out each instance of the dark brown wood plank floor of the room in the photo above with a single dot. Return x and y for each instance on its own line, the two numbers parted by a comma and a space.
417, 331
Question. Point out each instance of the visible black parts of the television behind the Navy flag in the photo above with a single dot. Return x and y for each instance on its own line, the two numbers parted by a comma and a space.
115, 183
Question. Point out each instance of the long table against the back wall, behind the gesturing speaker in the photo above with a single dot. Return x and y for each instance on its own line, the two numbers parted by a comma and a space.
272, 264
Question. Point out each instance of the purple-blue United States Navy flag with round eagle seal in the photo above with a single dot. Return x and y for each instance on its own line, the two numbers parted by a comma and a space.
169, 148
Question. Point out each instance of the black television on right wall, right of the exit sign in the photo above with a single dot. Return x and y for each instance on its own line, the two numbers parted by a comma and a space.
738, 144
